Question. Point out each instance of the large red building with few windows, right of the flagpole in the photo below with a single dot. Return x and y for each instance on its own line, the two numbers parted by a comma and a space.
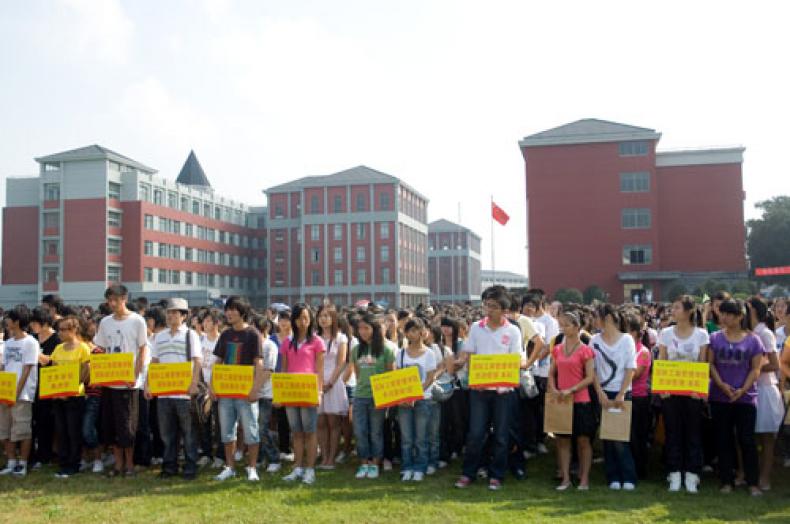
605, 208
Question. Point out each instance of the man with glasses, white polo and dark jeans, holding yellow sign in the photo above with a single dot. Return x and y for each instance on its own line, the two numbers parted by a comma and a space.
493, 335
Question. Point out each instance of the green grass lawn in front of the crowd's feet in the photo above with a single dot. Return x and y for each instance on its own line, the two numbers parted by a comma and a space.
338, 497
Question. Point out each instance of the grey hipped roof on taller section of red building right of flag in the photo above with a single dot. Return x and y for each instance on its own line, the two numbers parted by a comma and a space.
589, 130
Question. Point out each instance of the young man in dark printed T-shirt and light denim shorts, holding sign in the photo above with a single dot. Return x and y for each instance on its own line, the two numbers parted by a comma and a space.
240, 345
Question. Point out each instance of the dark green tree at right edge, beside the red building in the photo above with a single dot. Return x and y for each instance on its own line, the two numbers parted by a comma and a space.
768, 241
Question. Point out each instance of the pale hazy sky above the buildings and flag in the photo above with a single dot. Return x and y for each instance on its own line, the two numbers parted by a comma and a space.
434, 92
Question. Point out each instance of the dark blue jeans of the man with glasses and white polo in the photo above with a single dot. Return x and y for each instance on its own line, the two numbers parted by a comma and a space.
486, 407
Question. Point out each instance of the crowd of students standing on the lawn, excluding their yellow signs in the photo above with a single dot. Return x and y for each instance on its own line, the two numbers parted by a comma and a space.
599, 356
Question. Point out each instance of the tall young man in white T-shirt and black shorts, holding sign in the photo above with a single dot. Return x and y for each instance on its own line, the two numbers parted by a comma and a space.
122, 332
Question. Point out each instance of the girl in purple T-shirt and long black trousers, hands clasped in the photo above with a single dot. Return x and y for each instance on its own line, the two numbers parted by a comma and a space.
736, 358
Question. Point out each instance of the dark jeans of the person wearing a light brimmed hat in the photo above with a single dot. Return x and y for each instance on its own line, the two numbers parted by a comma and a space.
174, 416
